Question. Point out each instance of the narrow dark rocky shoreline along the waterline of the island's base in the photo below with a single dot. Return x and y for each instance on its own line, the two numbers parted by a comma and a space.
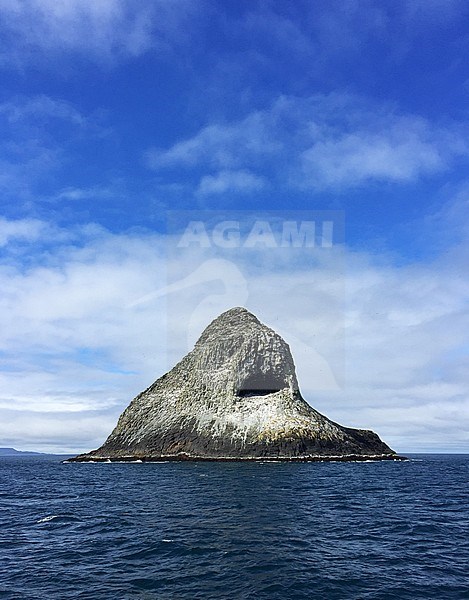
188, 458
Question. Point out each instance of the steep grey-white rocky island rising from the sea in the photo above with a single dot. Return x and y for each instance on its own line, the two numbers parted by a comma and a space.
234, 396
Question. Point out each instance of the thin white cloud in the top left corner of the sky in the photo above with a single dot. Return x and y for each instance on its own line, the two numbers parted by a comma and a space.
105, 31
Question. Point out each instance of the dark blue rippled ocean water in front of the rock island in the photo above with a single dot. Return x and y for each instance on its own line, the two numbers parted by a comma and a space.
189, 531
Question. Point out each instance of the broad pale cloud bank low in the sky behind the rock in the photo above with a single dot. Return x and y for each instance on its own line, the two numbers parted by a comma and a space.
77, 345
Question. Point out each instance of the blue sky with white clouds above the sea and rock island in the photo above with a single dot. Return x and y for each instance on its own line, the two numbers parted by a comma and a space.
114, 112
